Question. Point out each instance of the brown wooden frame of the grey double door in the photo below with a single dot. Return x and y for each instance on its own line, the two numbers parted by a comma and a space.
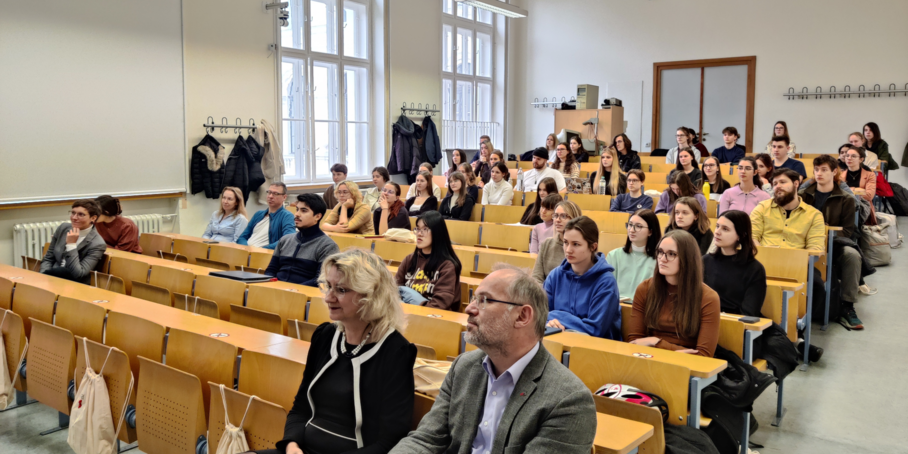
751, 63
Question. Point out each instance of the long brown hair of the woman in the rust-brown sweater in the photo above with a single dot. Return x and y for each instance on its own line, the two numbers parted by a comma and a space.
688, 300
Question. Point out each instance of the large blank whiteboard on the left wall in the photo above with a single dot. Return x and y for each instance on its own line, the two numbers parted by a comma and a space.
91, 99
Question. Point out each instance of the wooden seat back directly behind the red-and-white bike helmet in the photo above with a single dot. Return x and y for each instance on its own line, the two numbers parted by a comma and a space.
596, 368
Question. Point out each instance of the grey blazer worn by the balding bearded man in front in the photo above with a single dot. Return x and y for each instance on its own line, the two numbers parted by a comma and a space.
550, 411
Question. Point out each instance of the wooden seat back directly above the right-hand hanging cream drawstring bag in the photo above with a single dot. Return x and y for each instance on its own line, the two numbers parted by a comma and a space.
207, 358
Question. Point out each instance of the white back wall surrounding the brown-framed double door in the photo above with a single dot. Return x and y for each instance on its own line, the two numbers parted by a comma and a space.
806, 43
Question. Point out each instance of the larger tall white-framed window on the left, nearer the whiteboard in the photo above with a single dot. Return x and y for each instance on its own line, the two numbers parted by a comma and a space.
325, 89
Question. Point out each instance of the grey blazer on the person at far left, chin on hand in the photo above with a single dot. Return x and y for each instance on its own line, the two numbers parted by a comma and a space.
79, 262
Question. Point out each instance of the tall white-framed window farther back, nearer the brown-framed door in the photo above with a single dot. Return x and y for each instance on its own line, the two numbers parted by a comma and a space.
467, 75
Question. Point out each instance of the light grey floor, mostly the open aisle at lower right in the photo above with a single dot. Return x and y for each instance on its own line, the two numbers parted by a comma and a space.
852, 401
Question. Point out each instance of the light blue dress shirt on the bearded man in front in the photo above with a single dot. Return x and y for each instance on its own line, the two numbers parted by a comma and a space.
498, 393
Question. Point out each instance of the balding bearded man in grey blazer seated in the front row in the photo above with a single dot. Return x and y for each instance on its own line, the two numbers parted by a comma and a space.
510, 395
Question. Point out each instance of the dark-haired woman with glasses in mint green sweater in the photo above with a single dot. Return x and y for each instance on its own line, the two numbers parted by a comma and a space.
635, 262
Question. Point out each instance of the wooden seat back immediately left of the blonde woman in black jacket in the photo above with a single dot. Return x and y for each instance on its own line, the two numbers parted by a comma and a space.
270, 377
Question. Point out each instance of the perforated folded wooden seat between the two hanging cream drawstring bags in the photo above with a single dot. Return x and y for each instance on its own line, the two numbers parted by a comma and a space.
170, 410
